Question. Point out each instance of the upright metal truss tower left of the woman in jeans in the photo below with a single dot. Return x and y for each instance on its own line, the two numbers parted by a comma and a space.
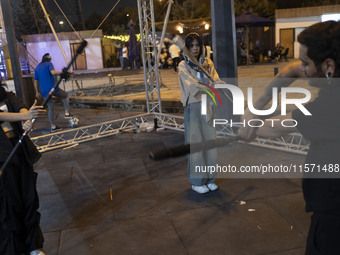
149, 55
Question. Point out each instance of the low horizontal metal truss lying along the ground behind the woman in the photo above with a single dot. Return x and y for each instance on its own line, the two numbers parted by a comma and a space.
66, 139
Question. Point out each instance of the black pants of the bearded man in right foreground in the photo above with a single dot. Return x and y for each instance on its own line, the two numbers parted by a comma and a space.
324, 235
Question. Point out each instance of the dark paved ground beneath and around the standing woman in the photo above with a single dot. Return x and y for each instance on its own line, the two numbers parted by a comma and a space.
108, 197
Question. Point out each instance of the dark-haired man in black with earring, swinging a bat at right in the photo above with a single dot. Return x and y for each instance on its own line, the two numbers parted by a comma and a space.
320, 58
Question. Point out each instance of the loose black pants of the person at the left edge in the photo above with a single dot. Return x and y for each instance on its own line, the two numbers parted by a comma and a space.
19, 220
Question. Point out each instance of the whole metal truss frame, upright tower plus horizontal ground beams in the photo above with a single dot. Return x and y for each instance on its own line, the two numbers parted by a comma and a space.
67, 139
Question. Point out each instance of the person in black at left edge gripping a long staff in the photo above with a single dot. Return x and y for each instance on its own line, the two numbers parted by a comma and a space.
19, 220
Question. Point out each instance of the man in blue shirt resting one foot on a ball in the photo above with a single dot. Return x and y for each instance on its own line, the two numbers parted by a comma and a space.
44, 74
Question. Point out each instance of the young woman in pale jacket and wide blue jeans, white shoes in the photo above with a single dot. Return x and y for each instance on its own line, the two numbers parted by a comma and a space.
198, 127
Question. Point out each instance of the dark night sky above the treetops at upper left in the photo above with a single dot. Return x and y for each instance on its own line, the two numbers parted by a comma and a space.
88, 6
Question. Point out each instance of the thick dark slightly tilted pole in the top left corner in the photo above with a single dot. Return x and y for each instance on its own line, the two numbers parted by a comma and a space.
12, 46
